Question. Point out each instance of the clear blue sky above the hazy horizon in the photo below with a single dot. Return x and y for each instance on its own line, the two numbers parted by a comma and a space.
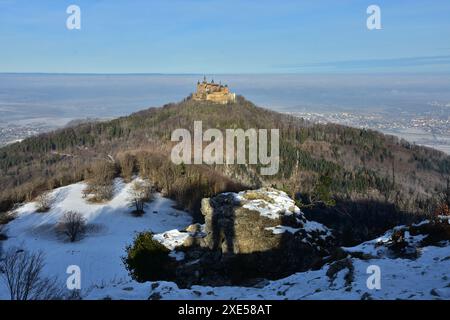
232, 36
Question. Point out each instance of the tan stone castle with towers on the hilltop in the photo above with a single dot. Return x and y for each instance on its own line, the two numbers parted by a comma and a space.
210, 91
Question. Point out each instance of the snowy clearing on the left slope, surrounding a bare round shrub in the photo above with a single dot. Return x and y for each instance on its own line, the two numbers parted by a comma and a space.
99, 253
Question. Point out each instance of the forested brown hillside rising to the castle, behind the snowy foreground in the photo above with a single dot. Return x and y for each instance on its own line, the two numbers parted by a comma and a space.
375, 179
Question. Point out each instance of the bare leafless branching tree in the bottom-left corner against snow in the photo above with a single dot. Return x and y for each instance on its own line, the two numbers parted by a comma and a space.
22, 272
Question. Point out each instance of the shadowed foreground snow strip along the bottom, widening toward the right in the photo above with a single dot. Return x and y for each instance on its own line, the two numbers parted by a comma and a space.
428, 277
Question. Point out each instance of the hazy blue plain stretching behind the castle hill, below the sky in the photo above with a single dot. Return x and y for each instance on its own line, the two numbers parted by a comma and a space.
24, 96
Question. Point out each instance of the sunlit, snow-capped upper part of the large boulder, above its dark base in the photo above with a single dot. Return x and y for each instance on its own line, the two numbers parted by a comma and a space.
259, 221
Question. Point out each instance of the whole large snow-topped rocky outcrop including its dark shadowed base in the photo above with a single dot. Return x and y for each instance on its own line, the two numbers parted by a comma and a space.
252, 235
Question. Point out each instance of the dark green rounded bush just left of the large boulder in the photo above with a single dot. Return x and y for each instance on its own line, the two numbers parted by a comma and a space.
148, 260
